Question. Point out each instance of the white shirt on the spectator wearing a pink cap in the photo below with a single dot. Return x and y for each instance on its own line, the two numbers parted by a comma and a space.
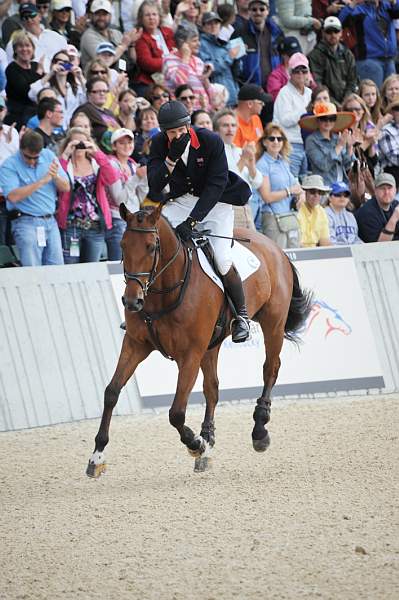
289, 107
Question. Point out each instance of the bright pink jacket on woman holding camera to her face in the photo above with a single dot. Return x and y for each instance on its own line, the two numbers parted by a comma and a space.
107, 175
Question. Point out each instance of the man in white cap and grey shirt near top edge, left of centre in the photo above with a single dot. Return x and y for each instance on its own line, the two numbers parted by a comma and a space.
100, 31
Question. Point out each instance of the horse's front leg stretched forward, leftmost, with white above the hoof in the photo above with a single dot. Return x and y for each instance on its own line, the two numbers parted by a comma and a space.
131, 355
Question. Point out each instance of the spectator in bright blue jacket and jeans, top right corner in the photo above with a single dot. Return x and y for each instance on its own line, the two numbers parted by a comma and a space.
376, 37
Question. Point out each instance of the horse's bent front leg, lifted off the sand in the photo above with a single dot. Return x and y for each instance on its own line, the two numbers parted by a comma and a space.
188, 371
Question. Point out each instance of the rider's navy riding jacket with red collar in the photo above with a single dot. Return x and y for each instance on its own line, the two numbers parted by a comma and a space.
206, 174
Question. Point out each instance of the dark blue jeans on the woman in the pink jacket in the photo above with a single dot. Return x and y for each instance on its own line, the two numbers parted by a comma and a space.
90, 242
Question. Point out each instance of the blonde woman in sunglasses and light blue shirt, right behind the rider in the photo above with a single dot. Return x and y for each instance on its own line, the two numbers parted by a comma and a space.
279, 191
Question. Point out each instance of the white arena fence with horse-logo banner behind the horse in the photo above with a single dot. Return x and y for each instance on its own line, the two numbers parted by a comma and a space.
60, 339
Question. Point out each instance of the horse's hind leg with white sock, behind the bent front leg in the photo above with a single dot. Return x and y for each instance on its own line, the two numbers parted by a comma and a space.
211, 393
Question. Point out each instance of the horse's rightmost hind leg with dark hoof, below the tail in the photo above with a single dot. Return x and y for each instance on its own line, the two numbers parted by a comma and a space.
273, 333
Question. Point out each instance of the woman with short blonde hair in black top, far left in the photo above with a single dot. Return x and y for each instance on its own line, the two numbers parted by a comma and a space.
21, 73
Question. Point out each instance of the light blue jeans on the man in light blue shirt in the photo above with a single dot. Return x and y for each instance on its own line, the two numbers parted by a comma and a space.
24, 230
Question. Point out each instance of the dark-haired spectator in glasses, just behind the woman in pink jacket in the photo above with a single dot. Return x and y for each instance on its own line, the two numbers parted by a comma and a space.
103, 121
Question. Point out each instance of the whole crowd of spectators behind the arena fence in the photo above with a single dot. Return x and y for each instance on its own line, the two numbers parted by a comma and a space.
304, 95
